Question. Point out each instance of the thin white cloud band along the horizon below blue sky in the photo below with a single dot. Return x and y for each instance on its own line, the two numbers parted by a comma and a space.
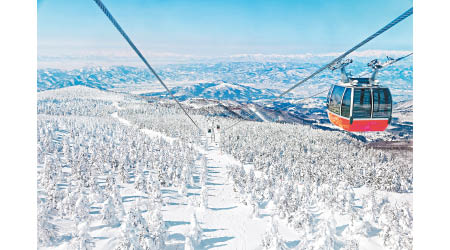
53, 59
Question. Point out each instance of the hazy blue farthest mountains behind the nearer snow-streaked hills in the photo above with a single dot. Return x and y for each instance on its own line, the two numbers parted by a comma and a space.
260, 75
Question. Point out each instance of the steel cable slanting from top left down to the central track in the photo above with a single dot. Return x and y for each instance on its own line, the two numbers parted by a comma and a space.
122, 32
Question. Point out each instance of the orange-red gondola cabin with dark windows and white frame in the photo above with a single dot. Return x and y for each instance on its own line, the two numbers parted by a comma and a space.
359, 105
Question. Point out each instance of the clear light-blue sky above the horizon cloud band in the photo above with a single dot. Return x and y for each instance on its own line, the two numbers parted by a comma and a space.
218, 28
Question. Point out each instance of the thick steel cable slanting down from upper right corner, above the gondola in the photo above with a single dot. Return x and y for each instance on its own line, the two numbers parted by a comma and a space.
385, 28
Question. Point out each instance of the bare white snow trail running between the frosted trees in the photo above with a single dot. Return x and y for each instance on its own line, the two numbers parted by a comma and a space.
227, 223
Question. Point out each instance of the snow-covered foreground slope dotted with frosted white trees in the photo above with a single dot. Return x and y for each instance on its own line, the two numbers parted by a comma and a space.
124, 174
